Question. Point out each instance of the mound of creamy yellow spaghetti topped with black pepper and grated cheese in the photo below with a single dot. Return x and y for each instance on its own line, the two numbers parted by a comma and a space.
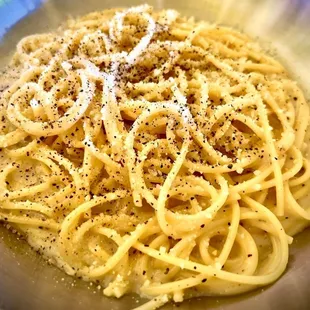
154, 154
